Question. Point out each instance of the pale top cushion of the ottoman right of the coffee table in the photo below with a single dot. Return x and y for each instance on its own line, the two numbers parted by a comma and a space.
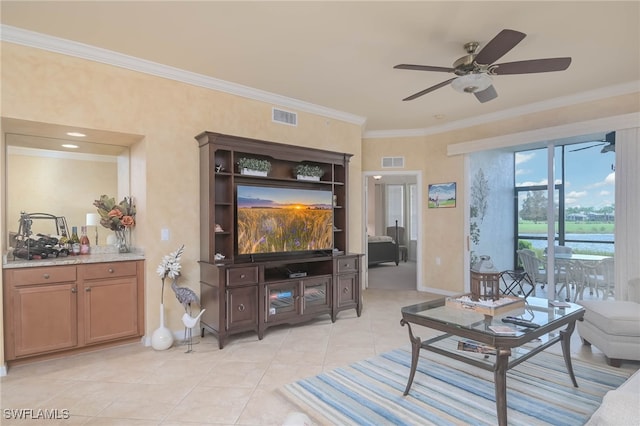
619, 318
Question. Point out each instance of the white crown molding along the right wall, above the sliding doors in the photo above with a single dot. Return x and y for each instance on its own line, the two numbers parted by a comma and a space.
591, 95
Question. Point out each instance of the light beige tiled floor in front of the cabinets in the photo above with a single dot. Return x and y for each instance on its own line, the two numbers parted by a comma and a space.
135, 385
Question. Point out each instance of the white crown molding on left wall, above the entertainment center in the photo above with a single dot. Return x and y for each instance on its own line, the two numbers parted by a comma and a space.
84, 51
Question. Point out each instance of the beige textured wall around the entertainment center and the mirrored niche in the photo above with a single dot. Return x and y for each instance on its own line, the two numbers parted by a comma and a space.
52, 88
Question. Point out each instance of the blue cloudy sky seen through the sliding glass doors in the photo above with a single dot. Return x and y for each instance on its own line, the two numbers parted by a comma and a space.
589, 175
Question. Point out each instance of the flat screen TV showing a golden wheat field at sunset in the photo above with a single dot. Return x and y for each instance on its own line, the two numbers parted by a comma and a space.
283, 220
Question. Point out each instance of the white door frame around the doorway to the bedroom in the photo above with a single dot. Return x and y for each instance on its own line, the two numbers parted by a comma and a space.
417, 174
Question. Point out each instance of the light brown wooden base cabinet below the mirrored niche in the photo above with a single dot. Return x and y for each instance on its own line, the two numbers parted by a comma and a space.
69, 308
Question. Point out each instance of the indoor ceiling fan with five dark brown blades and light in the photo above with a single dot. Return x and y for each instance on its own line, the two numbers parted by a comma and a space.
475, 69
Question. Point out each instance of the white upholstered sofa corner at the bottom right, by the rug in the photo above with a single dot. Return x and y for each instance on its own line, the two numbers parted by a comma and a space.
620, 406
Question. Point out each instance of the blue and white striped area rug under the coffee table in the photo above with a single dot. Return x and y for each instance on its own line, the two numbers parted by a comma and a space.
448, 392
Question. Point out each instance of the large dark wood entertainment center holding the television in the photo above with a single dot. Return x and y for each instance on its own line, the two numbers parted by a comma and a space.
273, 245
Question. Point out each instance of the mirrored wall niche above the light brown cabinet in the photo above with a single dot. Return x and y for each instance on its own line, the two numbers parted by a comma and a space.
50, 172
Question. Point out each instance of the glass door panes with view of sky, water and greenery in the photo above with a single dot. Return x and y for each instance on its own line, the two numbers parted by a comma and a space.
584, 207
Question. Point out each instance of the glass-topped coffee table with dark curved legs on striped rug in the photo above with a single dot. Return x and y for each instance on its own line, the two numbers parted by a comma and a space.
510, 350
